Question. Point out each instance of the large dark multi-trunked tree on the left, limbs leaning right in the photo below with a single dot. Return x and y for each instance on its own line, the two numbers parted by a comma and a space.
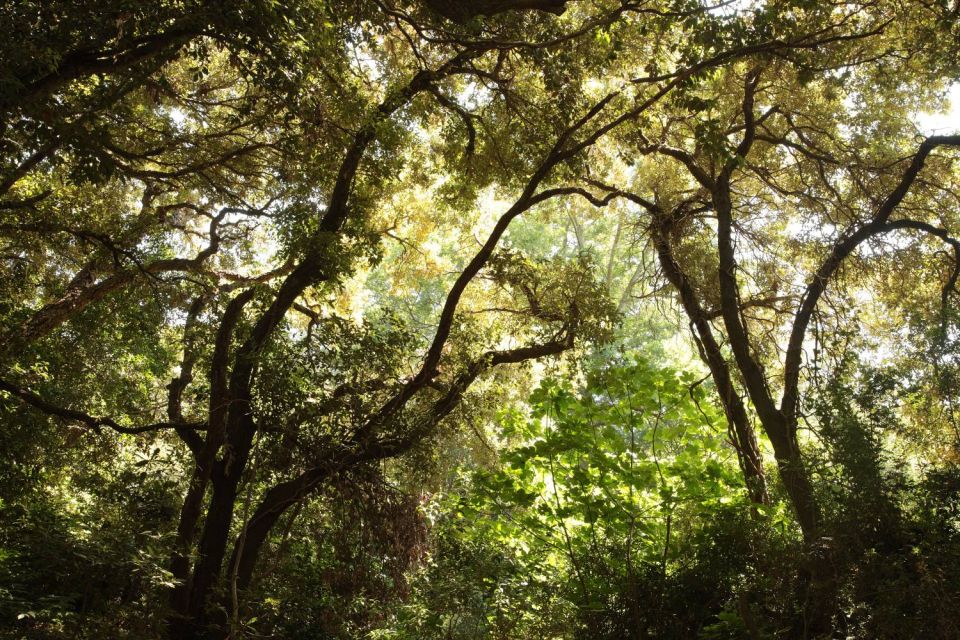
375, 413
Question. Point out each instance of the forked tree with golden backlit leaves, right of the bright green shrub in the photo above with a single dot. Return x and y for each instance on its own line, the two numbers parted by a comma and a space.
785, 145
